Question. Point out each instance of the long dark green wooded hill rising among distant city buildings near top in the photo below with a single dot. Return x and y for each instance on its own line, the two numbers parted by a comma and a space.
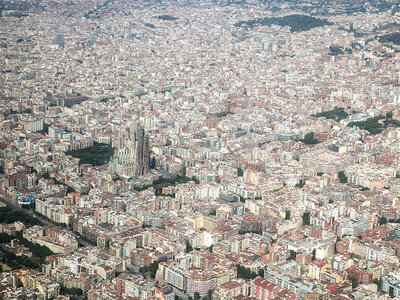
296, 22
